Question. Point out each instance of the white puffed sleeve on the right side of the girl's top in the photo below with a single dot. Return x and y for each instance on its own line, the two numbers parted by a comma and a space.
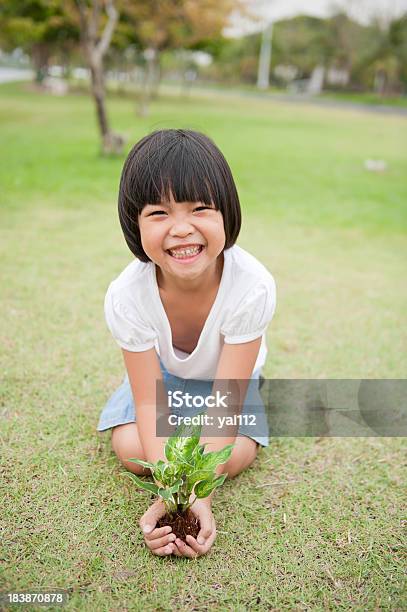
252, 315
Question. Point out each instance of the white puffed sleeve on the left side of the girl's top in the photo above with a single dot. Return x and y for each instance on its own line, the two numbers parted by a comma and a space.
126, 327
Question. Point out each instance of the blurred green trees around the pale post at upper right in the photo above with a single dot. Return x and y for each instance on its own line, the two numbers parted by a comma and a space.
303, 42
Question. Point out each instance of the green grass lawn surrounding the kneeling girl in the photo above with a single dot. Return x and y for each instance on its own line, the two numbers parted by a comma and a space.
315, 523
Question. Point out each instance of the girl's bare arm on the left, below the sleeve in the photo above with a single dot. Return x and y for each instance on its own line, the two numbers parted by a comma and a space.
144, 370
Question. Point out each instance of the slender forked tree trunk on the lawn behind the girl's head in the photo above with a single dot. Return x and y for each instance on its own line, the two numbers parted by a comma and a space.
95, 41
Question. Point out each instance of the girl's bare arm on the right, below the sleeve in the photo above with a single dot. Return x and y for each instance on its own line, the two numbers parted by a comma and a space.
233, 374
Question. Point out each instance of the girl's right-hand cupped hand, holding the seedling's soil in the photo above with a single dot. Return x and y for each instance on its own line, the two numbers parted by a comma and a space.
193, 548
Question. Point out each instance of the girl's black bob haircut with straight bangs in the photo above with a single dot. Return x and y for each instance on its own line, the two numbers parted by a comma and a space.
184, 163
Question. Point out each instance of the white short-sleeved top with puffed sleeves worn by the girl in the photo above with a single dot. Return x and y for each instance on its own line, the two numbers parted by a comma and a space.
243, 308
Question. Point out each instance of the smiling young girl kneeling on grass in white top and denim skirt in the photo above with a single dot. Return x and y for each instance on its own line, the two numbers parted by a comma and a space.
190, 310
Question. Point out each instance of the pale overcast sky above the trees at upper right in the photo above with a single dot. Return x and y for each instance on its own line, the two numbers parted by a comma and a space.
273, 10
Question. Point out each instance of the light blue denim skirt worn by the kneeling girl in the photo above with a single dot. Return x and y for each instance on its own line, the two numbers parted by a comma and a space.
120, 408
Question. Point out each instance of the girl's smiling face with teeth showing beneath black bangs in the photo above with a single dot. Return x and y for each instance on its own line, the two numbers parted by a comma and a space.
167, 229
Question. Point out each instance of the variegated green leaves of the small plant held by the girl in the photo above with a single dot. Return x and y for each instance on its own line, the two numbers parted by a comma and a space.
188, 470
